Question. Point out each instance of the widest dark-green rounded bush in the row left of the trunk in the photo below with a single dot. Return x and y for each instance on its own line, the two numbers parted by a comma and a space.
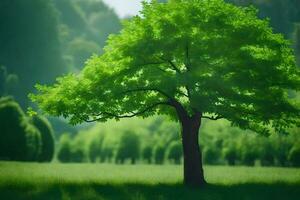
129, 148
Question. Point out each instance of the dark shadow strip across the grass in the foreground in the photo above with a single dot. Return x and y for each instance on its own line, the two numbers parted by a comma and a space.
152, 192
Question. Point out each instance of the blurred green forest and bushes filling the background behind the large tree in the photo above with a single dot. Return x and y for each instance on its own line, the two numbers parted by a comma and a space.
43, 39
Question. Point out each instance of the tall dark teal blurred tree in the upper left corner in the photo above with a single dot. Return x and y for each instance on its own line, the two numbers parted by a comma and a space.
30, 43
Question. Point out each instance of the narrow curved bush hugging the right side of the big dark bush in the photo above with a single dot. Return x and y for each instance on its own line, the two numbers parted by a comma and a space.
47, 136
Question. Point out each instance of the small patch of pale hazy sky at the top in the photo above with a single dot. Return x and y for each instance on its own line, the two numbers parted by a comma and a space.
125, 7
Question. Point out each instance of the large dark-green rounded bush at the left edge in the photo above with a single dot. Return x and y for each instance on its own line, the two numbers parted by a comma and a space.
19, 140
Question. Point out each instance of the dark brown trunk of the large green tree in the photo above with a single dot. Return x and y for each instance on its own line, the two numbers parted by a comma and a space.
193, 170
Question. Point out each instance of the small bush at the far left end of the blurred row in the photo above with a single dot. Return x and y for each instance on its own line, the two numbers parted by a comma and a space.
64, 150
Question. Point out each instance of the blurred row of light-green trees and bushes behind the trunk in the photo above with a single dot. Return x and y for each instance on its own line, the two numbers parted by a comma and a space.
157, 141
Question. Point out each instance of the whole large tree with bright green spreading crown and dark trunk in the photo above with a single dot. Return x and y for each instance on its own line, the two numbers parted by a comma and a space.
190, 60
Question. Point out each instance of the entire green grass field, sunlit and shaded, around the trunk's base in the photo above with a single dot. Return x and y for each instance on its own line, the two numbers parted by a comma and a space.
87, 181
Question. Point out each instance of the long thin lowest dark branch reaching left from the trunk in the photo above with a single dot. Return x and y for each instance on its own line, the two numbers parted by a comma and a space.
105, 115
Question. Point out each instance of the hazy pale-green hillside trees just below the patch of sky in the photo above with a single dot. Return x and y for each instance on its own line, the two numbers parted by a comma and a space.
85, 26
